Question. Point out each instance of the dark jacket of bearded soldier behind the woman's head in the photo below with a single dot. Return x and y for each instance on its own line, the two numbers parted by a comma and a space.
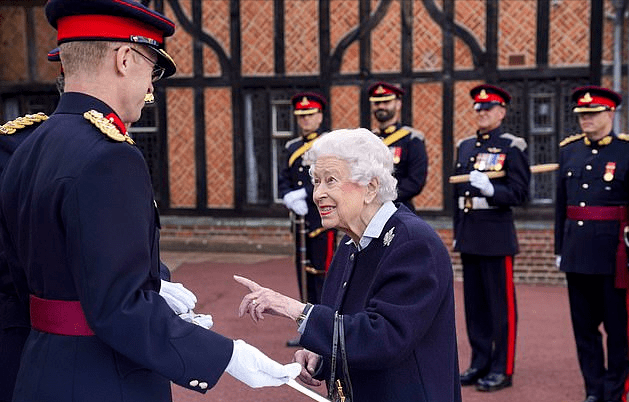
410, 159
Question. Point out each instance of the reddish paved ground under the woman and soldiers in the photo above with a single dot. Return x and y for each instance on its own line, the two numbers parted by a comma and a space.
546, 363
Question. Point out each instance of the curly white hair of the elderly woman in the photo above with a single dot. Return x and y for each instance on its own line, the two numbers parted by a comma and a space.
364, 152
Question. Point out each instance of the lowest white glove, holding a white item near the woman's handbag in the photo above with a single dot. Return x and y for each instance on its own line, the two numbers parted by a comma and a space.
256, 369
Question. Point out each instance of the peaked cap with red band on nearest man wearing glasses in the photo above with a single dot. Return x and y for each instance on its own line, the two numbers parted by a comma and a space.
112, 20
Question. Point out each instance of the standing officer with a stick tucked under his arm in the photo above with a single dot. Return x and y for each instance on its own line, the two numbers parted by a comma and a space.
485, 235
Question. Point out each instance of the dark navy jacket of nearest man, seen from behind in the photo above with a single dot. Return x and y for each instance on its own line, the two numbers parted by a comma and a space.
78, 223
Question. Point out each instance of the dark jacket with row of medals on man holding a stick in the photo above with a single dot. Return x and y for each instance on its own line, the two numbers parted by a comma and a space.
490, 230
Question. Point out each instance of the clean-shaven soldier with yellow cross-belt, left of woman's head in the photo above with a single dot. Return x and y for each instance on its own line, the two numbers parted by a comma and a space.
295, 188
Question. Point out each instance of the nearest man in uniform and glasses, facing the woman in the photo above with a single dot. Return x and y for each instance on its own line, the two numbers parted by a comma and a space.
79, 227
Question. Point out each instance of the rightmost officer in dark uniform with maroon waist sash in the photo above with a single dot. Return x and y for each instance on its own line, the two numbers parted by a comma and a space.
590, 241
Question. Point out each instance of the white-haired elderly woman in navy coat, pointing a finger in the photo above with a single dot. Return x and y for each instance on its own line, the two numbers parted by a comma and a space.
384, 330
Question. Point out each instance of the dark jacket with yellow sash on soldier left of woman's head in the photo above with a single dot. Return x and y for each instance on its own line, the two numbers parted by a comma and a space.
295, 176
